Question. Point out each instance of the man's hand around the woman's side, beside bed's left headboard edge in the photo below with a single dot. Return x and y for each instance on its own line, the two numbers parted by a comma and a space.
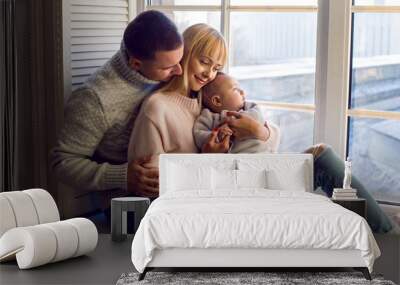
142, 180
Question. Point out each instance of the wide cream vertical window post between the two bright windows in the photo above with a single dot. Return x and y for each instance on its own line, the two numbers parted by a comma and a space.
333, 43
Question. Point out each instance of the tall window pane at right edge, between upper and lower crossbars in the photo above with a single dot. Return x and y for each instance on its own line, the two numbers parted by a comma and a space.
376, 62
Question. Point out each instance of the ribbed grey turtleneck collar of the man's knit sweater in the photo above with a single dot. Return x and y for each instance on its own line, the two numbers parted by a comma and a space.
120, 63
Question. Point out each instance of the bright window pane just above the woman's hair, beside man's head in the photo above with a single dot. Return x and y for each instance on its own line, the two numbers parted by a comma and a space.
184, 19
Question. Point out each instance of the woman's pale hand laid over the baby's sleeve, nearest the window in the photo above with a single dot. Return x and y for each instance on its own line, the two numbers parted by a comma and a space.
245, 127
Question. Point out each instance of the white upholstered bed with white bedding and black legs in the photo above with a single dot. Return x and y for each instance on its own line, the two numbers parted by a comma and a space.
246, 211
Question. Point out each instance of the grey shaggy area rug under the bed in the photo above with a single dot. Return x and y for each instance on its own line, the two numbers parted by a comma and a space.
231, 278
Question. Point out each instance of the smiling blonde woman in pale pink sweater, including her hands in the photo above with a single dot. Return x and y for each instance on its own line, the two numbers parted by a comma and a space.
166, 118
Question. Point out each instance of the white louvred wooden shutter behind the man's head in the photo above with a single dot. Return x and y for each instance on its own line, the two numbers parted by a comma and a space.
92, 33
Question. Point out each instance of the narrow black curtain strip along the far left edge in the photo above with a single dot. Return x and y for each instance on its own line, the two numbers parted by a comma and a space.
8, 95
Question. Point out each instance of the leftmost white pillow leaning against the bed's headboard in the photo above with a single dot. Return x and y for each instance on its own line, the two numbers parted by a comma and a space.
182, 177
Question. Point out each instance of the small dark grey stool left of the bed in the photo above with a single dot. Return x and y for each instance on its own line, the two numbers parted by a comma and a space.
119, 208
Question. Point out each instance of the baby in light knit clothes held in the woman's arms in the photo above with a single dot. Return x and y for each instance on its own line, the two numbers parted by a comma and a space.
223, 94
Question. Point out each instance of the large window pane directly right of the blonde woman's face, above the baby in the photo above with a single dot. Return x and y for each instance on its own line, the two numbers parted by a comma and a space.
273, 55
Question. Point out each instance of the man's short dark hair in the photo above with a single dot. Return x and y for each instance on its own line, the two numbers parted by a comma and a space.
149, 32
